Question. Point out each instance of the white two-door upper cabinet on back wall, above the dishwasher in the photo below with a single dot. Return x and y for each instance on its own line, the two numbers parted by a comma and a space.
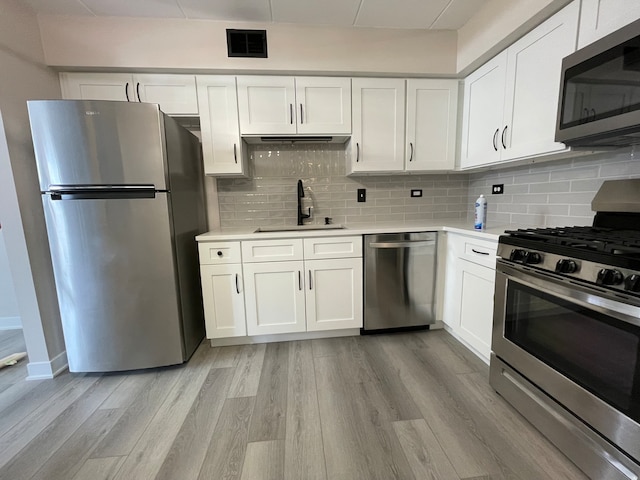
403, 126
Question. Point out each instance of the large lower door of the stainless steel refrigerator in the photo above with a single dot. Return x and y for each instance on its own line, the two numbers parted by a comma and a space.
114, 266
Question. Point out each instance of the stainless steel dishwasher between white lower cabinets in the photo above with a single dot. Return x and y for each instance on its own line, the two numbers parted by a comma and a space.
399, 281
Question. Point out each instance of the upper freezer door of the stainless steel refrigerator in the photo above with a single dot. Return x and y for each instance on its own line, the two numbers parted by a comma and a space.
84, 142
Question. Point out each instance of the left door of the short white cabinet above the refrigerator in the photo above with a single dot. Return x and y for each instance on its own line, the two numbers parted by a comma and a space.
97, 86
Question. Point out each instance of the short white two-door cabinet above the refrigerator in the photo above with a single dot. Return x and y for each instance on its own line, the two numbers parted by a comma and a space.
176, 94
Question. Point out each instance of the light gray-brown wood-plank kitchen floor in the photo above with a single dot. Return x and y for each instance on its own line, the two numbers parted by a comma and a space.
399, 406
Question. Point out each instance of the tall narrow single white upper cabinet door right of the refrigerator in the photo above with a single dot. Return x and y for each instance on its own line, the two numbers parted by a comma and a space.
222, 147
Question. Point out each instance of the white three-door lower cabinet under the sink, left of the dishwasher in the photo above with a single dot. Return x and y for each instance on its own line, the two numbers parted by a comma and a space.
265, 287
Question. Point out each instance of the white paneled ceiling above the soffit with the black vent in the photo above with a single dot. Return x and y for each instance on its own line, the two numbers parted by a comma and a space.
420, 14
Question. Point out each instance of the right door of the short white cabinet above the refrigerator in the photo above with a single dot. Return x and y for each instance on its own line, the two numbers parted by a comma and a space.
176, 94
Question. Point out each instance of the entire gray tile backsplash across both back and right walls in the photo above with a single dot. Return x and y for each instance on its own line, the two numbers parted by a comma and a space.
555, 193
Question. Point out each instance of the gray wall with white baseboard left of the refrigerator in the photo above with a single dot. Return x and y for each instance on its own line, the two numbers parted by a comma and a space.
24, 76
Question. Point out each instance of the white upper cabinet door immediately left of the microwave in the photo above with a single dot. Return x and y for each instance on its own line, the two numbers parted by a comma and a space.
534, 65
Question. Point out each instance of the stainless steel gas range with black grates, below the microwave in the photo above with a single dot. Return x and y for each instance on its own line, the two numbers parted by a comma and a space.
566, 333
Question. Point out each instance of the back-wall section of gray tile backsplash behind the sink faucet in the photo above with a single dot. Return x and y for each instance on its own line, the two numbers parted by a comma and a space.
269, 195
